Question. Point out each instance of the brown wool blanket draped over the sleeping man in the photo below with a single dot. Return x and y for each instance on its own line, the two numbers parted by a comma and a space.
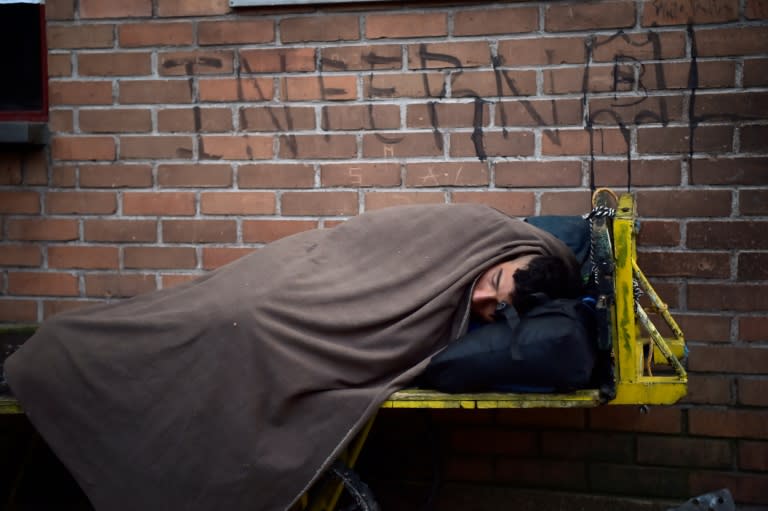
235, 391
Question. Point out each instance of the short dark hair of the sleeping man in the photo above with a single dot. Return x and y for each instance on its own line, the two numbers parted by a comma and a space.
544, 274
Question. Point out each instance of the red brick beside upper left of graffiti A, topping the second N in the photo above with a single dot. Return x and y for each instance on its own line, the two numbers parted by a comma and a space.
542, 51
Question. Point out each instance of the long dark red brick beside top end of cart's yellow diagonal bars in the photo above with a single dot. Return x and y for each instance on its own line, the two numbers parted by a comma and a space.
712, 265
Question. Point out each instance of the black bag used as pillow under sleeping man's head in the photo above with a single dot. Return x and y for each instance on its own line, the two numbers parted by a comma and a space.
550, 348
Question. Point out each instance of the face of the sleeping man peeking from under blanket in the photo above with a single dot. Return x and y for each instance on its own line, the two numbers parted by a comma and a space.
496, 285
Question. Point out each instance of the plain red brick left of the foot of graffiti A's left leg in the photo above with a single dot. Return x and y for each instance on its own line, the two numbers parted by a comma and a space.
534, 174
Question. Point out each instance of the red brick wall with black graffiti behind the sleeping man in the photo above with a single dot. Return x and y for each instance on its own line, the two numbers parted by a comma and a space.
186, 134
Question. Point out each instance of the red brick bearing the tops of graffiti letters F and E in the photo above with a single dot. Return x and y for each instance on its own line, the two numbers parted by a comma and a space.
361, 58
